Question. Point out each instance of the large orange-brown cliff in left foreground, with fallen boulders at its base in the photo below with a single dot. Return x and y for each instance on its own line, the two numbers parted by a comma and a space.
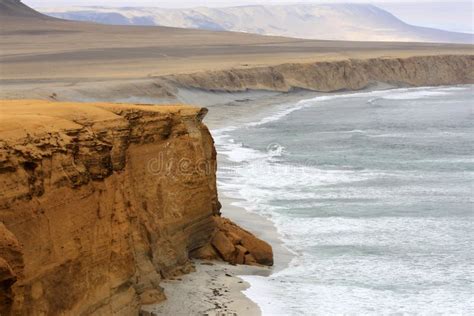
100, 202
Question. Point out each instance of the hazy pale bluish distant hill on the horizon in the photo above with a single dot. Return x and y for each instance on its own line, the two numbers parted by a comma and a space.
355, 22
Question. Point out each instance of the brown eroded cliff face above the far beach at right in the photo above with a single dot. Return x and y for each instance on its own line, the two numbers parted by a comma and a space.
328, 76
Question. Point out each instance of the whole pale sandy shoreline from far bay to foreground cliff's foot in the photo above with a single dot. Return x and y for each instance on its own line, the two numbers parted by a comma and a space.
234, 298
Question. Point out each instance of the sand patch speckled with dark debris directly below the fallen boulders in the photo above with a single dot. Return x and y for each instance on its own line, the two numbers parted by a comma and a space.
212, 289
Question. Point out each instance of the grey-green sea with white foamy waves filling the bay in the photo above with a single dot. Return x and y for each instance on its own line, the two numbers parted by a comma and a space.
371, 191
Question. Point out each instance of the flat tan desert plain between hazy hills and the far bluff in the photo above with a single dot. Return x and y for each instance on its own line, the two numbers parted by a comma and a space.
50, 49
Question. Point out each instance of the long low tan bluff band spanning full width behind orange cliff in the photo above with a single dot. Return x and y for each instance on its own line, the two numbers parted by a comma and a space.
324, 76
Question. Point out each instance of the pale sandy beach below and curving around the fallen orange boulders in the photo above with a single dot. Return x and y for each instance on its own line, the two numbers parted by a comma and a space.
214, 288
